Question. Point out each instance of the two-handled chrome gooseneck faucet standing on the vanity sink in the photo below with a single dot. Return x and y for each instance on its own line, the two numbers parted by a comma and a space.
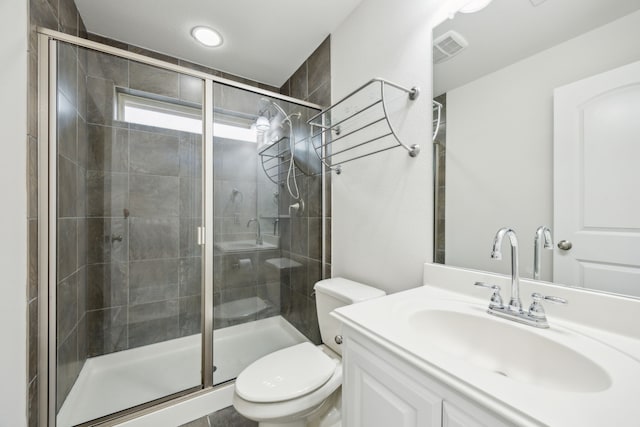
535, 316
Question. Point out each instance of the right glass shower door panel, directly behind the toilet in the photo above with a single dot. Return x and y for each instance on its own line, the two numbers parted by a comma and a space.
262, 252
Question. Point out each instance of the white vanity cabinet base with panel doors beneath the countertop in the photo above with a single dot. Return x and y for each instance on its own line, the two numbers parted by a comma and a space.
380, 389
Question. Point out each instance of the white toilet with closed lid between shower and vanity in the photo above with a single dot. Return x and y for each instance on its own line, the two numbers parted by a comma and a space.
300, 386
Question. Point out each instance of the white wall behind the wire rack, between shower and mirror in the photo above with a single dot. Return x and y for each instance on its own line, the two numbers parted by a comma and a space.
382, 205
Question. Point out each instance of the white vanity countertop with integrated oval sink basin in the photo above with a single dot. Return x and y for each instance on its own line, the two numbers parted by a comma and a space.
571, 374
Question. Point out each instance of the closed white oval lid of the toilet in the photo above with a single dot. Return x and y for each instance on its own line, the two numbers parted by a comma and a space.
285, 374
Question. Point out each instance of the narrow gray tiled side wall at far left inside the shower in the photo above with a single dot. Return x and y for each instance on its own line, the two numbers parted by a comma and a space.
72, 224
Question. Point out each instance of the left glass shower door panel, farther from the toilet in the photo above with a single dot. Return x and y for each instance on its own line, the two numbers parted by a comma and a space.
128, 160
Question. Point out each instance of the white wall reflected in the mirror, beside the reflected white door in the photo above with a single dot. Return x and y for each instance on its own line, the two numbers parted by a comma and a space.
509, 115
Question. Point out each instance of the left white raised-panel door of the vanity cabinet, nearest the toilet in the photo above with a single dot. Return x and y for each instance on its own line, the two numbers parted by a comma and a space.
378, 393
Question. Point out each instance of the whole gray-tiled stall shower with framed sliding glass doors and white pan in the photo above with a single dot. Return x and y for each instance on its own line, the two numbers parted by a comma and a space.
179, 216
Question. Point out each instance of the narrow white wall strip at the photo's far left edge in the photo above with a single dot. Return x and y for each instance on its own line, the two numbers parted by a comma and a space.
13, 214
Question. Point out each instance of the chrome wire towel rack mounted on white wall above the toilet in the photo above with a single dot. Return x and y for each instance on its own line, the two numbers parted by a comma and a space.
356, 121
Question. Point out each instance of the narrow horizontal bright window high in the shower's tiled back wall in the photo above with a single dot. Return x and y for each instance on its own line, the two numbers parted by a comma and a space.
150, 110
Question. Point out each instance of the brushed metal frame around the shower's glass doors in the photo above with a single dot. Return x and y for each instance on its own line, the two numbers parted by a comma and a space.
47, 224
